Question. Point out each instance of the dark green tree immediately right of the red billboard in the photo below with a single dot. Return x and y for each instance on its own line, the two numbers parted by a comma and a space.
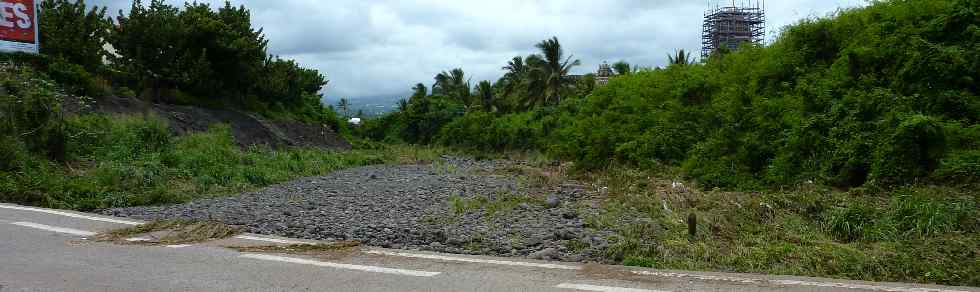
72, 31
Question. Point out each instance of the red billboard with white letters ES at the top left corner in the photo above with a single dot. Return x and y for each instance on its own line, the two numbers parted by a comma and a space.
19, 26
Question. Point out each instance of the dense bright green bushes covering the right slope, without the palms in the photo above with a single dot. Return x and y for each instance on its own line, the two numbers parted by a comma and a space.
880, 94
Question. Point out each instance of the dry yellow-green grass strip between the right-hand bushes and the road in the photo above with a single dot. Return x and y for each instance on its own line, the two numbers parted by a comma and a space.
910, 234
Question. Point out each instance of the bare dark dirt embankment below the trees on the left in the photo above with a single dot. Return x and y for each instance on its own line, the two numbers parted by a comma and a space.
247, 128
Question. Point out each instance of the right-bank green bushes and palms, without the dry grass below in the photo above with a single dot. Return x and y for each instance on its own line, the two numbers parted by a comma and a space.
879, 96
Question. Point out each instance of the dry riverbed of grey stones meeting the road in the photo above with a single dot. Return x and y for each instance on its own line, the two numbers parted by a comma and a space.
452, 205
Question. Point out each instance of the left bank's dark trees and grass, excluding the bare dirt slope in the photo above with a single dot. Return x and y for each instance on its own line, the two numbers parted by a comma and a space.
53, 155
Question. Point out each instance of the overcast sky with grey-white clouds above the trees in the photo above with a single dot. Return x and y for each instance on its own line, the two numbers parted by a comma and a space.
375, 48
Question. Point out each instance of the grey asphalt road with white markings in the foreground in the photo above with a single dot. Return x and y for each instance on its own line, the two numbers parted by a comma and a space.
48, 250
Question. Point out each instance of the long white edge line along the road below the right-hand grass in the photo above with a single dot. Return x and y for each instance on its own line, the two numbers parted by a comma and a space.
793, 282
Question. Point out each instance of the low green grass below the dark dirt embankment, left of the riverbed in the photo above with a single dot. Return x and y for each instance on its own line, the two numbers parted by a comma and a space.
121, 161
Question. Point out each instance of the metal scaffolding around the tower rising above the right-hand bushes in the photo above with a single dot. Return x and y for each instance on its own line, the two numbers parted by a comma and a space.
729, 27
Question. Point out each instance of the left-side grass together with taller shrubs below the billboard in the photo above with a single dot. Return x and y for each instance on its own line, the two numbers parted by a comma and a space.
97, 161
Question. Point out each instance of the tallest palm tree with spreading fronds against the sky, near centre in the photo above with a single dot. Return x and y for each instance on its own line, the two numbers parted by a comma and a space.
553, 75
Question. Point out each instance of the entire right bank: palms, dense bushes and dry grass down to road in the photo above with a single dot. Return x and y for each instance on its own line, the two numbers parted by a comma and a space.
848, 147
